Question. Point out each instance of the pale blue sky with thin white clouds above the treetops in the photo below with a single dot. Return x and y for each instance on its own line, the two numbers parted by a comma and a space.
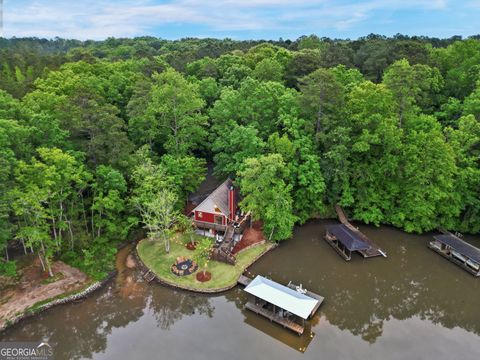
237, 19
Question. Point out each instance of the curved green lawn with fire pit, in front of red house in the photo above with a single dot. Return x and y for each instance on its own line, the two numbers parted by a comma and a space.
155, 258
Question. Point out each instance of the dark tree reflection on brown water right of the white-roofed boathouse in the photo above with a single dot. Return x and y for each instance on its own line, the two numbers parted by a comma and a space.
360, 296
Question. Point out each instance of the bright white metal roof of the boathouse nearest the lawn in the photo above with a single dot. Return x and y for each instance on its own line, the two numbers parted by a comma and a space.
282, 296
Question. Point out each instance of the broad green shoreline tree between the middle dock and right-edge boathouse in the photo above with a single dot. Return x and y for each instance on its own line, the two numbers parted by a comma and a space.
428, 198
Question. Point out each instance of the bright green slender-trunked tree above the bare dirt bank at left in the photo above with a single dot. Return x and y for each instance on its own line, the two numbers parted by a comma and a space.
47, 188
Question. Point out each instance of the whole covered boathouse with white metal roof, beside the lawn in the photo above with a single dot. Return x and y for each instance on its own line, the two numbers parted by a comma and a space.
281, 304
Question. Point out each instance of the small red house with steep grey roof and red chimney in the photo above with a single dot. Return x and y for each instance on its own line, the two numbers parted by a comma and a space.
218, 209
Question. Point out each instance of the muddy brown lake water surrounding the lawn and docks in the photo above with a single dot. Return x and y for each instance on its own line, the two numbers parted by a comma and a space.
412, 305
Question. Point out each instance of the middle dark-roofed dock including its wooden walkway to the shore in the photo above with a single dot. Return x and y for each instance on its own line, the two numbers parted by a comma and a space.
359, 242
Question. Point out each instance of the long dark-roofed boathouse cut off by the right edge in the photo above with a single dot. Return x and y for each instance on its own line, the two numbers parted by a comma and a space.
457, 251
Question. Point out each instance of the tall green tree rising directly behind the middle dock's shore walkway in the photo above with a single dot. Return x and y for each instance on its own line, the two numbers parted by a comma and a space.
375, 144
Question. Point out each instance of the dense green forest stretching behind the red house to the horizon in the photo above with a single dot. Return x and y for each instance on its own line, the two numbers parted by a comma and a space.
101, 138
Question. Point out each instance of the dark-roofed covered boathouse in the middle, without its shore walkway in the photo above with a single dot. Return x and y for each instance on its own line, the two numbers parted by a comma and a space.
345, 241
